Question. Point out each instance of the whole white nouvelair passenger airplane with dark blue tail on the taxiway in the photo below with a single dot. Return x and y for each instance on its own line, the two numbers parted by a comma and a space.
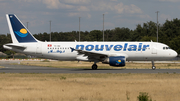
113, 53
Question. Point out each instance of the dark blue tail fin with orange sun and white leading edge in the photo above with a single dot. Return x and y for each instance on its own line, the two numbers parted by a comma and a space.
19, 33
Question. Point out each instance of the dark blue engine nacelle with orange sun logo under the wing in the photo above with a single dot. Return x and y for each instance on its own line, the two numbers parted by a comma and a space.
117, 61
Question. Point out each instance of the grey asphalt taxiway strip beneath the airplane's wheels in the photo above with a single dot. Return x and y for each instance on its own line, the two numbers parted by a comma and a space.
8, 68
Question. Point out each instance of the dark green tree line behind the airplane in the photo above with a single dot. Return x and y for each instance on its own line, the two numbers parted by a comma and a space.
169, 33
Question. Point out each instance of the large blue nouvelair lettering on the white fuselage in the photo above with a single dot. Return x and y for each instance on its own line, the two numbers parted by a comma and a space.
117, 47
